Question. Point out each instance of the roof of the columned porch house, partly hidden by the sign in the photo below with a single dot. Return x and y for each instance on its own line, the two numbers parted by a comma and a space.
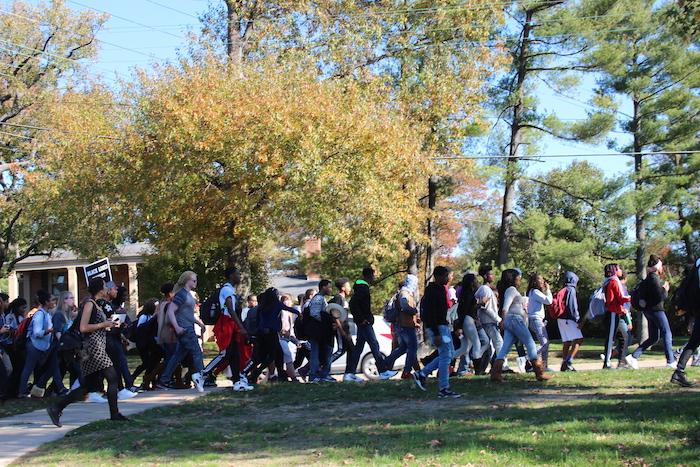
126, 253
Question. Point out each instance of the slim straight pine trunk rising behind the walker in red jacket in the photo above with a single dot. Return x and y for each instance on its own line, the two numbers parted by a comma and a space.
639, 214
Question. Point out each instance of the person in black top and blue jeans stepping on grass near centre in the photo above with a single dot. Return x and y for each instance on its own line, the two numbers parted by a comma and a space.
434, 308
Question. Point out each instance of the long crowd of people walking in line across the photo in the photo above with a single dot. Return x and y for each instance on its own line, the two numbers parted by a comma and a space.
471, 326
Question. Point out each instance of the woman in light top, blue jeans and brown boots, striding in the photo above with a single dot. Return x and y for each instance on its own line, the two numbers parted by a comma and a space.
515, 325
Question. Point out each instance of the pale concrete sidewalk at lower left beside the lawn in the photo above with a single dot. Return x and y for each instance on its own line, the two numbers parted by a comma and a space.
23, 433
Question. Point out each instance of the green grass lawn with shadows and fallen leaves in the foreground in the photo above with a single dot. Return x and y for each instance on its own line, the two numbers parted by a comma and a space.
620, 418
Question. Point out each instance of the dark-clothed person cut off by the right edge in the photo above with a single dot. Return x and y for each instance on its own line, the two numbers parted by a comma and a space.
689, 298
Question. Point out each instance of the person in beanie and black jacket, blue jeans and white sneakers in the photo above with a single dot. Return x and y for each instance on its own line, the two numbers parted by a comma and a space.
652, 293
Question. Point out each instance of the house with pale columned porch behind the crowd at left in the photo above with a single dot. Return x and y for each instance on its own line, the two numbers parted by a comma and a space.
63, 270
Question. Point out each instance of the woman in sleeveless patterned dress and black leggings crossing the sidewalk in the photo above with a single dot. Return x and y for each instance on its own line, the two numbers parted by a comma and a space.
96, 364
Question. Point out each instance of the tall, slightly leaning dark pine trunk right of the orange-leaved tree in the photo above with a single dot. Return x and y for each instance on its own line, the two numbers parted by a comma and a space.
511, 179
